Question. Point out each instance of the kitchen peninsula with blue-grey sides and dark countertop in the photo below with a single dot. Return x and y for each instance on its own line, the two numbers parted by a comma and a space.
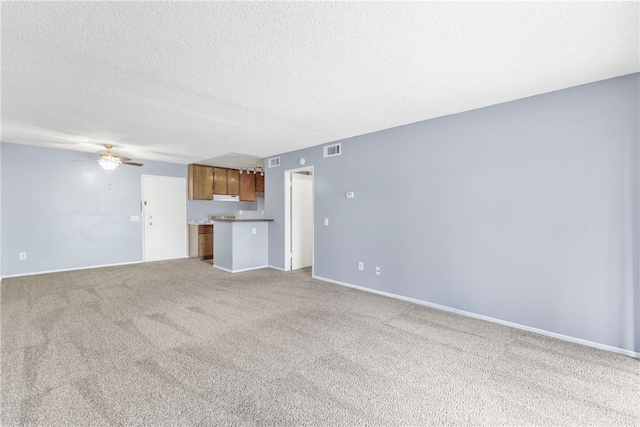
240, 244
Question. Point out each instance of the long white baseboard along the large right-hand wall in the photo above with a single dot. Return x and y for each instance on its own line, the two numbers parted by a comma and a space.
489, 319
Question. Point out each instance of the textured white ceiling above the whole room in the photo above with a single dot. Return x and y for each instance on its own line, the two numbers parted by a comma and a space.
188, 81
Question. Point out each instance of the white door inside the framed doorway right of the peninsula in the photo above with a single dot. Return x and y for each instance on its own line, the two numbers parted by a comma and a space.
301, 220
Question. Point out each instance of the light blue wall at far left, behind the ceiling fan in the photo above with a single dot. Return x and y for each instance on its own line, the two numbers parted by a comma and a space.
66, 214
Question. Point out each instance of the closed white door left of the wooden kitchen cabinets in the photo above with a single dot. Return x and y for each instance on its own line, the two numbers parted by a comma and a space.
164, 201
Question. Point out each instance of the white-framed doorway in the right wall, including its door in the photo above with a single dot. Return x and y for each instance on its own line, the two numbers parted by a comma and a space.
298, 219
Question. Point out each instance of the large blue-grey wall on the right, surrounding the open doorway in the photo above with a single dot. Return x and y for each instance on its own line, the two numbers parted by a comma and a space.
525, 212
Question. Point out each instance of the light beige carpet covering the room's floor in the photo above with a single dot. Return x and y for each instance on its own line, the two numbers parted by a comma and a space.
180, 343
